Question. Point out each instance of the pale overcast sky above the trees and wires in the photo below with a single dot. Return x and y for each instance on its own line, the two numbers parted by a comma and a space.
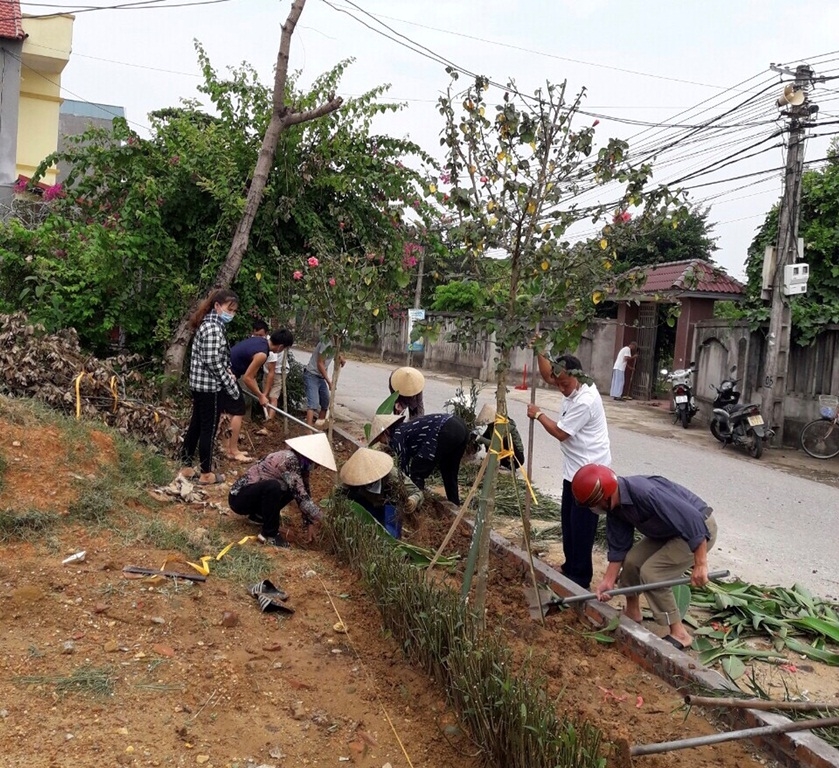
681, 62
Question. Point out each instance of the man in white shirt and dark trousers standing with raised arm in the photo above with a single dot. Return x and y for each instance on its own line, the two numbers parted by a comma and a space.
584, 439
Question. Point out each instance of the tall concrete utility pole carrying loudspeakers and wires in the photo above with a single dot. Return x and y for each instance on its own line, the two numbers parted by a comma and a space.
799, 111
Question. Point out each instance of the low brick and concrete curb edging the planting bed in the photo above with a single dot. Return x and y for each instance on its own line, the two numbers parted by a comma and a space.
654, 655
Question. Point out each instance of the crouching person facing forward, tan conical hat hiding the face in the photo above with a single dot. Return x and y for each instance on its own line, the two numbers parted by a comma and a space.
370, 478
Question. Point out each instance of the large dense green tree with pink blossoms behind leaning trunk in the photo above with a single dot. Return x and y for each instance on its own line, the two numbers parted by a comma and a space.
146, 224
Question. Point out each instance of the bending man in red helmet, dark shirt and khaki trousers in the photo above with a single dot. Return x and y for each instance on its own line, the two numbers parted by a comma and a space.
678, 529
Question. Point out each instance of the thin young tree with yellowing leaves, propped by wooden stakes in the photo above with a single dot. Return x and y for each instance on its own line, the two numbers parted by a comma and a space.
515, 182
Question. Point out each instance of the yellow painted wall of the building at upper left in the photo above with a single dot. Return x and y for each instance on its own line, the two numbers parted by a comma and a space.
46, 52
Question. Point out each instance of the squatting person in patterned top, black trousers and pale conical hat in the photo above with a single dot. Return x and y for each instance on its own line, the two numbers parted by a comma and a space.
281, 477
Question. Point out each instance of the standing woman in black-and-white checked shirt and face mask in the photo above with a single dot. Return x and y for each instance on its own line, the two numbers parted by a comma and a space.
210, 378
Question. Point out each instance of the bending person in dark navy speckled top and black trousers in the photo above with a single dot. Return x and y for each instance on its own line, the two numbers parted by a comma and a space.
436, 440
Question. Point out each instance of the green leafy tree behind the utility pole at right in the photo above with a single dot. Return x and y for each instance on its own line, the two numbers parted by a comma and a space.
820, 231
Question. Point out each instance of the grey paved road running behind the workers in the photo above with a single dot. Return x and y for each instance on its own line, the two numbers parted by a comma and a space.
776, 526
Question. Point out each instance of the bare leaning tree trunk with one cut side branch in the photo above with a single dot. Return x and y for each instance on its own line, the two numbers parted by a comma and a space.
281, 118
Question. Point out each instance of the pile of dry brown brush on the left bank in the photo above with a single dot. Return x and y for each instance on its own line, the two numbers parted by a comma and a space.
53, 369
